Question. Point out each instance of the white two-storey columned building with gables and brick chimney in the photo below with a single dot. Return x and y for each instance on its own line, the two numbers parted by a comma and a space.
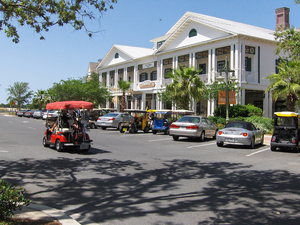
201, 41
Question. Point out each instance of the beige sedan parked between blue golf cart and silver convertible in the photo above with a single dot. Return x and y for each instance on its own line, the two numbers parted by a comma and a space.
193, 127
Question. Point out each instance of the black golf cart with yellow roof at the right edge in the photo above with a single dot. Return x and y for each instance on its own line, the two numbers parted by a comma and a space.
286, 131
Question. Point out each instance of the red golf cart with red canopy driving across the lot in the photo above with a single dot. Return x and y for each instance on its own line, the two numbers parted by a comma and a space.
66, 130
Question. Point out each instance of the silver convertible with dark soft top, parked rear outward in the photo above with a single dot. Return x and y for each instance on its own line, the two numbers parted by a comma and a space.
240, 133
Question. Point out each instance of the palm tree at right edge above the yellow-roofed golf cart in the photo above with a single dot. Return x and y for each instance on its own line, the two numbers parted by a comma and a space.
286, 83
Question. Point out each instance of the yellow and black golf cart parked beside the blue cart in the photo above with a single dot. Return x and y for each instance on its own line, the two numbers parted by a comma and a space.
139, 122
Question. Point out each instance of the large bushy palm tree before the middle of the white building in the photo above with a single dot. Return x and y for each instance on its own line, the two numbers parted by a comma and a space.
186, 86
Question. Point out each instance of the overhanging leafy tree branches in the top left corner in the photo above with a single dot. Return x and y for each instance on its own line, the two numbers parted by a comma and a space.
41, 15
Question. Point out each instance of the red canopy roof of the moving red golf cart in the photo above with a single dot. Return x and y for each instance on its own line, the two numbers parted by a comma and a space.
70, 105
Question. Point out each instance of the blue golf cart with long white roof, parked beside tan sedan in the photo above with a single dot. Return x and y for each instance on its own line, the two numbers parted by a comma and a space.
163, 119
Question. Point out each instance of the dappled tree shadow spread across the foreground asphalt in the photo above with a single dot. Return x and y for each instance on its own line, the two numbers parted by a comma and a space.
232, 192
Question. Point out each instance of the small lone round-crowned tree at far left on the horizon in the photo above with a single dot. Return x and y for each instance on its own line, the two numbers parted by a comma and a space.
19, 93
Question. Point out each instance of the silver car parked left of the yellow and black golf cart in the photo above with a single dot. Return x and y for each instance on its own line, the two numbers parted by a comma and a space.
113, 119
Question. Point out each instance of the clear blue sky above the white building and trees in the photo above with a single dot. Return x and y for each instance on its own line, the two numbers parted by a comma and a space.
66, 53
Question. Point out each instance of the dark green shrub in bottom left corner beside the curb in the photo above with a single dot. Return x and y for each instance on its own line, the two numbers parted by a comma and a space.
11, 198
